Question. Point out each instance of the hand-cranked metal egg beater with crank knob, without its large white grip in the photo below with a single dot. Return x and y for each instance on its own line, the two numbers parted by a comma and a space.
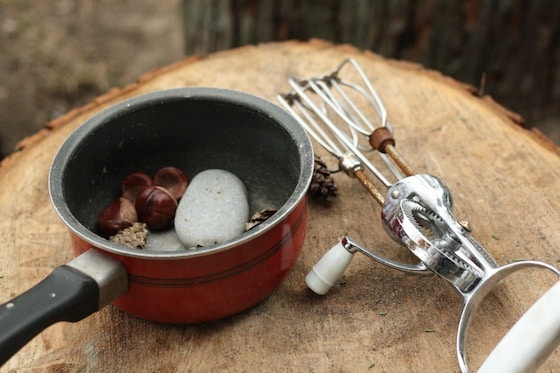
349, 119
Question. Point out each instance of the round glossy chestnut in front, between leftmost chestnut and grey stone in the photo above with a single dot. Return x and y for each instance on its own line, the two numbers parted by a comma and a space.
156, 207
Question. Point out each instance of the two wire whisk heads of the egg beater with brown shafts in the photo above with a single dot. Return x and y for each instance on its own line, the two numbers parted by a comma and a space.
330, 93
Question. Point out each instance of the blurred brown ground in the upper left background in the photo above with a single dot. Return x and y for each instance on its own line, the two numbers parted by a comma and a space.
59, 54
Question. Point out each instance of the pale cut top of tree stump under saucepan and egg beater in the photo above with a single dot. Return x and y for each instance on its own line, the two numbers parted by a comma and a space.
505, 181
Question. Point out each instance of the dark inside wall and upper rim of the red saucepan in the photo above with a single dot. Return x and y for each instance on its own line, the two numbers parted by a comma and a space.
192, 129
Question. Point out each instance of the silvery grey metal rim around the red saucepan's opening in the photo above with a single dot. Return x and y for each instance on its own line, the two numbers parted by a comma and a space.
258, 104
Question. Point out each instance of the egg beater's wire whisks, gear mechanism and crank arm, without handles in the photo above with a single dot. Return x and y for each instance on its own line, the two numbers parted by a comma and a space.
418, 209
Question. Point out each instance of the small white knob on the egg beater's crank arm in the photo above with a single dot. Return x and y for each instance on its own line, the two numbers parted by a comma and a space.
328, 269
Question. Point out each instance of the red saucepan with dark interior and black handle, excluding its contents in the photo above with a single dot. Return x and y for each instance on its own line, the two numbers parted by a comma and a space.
193, 129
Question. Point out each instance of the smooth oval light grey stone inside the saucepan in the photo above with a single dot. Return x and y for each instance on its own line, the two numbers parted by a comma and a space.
214, 209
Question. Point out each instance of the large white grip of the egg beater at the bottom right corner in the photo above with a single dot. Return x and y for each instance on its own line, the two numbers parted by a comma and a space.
529, 342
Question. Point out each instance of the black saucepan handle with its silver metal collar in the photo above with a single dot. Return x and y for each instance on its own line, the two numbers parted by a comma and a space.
70, 293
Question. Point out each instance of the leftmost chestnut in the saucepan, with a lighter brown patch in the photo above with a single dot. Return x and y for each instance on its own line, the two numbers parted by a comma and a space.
118, 215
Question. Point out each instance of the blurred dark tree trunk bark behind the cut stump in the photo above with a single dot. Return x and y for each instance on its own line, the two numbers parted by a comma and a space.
509, 49
